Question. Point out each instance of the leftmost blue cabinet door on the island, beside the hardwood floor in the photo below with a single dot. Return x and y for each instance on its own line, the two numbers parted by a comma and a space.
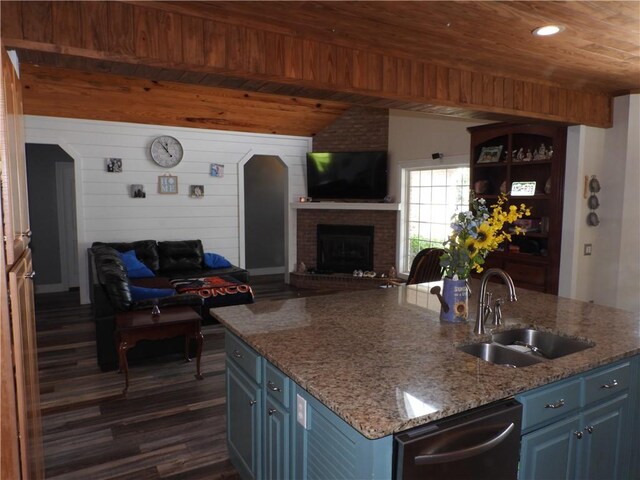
244, 405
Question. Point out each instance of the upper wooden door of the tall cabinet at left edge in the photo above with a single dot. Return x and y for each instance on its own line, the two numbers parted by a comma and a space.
12, 156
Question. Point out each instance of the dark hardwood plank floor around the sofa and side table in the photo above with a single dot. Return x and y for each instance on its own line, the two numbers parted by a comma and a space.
170, 425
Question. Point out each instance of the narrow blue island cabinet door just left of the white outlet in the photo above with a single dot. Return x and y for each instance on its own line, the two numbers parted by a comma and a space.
277, 440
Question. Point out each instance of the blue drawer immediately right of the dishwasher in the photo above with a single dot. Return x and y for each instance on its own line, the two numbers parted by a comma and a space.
544, 404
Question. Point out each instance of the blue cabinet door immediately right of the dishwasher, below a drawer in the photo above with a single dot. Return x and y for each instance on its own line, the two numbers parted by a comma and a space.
550, 452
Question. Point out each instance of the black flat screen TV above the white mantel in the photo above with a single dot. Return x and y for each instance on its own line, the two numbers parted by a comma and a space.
347, 175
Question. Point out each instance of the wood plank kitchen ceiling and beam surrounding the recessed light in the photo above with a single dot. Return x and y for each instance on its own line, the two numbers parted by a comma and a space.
473, 59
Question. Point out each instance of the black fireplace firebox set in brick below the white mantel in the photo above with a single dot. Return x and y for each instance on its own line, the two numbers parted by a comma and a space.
344, 248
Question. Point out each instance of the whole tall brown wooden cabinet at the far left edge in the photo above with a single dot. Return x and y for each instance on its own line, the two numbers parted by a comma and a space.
21, 454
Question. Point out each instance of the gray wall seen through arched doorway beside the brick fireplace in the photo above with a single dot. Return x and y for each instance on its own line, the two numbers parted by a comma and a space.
264, 186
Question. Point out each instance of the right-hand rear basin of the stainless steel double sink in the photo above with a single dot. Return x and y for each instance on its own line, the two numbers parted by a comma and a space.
544, 344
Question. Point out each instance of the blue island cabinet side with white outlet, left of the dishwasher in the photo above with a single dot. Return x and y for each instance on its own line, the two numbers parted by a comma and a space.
266, 442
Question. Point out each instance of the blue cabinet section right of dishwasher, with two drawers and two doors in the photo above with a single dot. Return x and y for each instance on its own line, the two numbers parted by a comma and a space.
581, 427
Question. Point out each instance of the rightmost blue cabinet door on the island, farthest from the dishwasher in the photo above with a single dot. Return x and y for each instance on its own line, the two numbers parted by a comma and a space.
604, 453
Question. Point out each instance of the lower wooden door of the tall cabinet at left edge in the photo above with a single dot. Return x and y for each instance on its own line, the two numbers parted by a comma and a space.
25, 355
